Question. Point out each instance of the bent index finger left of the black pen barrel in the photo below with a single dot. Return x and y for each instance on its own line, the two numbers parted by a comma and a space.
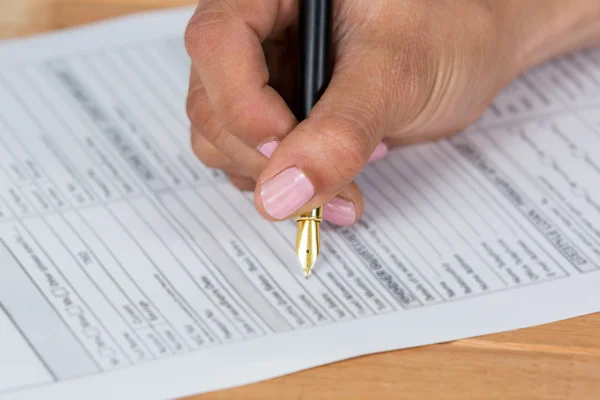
224, 41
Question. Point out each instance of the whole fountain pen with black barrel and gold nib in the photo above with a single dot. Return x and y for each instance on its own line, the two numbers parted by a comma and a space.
314, 72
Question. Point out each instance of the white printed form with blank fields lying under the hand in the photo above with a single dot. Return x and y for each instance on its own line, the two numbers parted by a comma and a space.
129, 270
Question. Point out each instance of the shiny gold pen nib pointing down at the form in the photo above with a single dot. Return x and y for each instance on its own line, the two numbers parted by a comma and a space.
308, 239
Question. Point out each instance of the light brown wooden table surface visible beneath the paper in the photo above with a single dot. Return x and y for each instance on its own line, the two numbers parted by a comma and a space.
556, 361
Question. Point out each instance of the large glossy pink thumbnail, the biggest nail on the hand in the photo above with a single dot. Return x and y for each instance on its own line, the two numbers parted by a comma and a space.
285, 193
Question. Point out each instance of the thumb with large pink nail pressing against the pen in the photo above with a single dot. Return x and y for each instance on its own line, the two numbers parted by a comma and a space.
325, 152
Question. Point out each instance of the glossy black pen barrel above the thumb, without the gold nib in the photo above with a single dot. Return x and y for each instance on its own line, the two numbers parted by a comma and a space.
316, 52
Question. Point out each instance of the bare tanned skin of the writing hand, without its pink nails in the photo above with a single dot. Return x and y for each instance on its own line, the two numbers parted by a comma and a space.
405, 72
